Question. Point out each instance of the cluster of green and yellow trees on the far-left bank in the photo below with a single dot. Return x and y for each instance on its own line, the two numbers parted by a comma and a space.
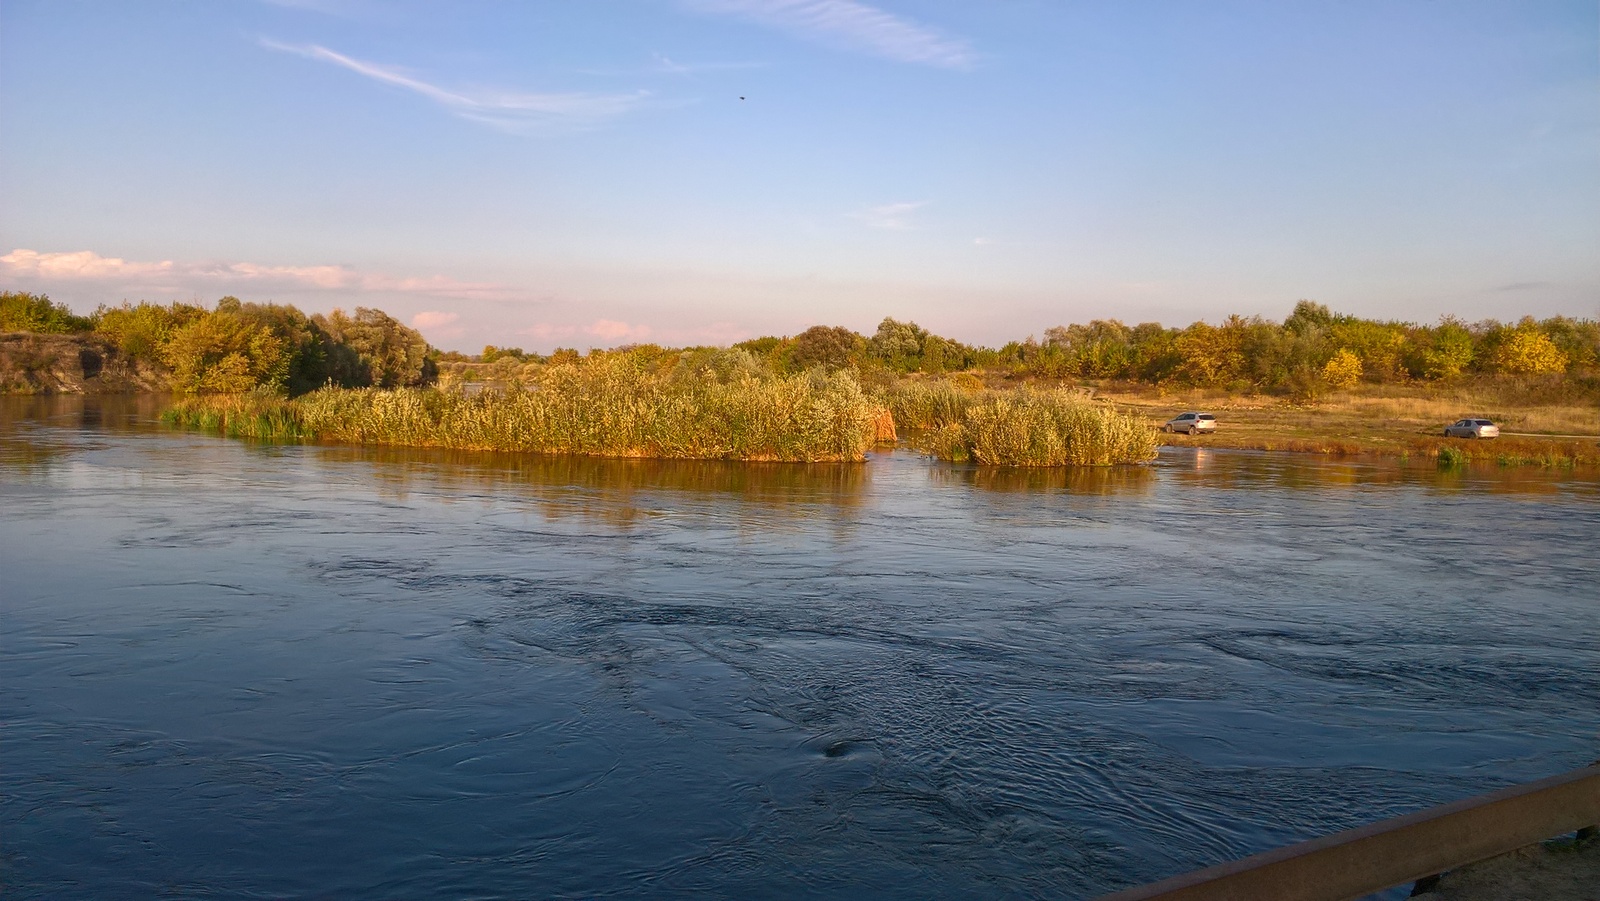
241, 346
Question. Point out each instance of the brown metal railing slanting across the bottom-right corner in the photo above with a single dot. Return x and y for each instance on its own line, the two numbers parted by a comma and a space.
1394, 852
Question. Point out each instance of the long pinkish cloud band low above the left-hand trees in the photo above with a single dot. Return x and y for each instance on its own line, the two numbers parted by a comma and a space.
46, 270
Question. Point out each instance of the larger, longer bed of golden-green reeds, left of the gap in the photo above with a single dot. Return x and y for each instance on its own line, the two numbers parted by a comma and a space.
604, 407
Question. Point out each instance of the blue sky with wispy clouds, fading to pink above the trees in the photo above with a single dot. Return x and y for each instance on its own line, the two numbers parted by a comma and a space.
702, 172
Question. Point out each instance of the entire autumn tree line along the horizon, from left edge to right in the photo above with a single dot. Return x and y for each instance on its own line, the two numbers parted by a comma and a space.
238, 346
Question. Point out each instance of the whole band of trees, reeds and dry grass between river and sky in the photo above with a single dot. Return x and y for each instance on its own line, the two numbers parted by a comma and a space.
1086, 396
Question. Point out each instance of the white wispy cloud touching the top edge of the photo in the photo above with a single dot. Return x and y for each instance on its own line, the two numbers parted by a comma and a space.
852, 25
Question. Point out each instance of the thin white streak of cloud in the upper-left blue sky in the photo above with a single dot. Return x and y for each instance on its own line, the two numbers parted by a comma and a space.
510, 111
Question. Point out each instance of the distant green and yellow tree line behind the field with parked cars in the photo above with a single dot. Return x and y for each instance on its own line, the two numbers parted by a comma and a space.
1313, 350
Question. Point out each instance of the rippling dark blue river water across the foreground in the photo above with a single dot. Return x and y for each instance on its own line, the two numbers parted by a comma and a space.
234, 670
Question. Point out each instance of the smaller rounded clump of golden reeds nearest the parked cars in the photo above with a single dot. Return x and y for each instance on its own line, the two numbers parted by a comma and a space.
1044, 428
